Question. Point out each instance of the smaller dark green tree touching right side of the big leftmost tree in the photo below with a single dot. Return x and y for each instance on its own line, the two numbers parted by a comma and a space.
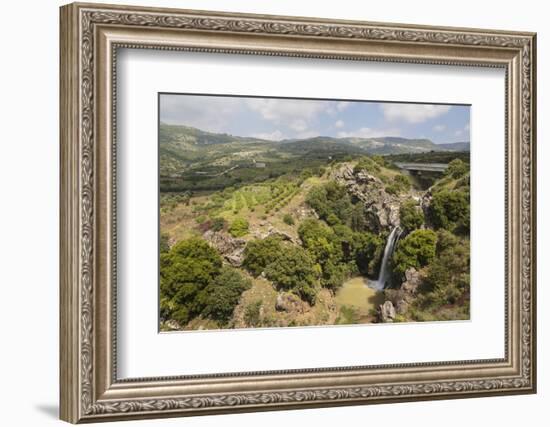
222, 295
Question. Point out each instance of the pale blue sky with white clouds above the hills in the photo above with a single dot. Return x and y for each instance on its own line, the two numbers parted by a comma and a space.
278, 118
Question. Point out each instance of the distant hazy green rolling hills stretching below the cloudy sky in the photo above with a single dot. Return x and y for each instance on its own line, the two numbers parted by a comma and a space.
193, 159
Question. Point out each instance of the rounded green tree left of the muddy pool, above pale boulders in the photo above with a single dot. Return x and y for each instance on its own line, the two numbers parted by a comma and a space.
294, 270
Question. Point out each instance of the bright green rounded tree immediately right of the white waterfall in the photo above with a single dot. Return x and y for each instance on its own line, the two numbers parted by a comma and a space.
416, 250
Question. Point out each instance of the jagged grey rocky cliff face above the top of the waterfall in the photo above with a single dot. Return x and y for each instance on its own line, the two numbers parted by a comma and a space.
382, 209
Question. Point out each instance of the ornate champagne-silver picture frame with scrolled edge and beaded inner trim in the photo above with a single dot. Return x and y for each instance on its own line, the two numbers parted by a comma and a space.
91, 390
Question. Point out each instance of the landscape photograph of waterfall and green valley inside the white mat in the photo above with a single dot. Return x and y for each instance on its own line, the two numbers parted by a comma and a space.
287, 212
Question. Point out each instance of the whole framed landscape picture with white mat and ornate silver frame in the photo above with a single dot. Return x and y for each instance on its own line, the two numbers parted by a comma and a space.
266, 212
